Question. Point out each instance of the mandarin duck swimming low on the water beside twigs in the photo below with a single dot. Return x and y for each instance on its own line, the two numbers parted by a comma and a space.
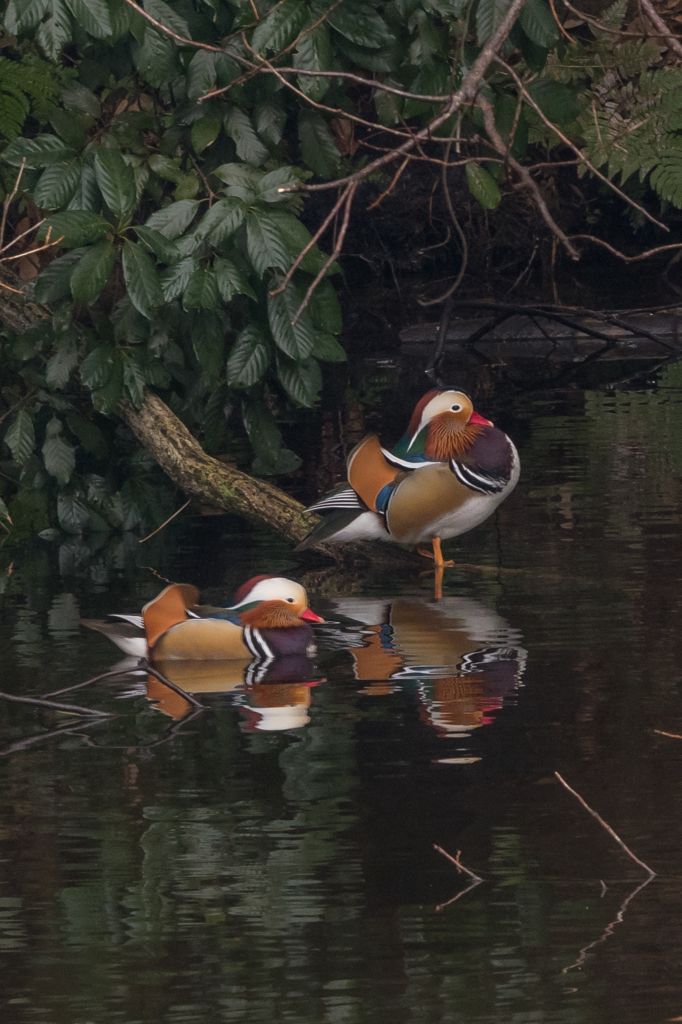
269, 619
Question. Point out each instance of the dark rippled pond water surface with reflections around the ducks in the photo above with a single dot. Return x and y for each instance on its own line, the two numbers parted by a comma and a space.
229, 870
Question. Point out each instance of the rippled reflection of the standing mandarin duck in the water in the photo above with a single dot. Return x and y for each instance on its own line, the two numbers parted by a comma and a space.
464, 659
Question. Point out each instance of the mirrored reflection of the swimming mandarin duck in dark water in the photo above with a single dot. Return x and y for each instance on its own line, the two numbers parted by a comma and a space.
271, 697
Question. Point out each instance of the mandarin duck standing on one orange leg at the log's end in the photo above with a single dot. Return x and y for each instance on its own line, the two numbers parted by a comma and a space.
447, 476
